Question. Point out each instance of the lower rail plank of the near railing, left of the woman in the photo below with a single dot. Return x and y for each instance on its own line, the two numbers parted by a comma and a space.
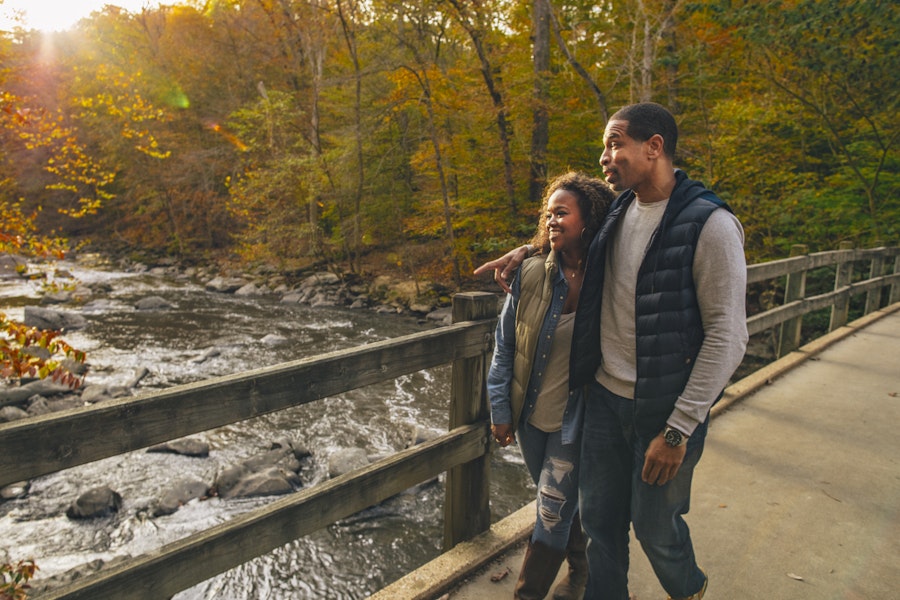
183, 564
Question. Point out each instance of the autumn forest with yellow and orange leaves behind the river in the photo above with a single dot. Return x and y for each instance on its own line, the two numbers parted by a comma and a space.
416, 136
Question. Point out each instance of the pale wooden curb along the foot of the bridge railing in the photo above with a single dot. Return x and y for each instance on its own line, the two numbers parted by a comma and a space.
440, 575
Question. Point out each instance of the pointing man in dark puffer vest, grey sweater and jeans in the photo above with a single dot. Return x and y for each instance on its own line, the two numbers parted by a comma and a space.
666, 278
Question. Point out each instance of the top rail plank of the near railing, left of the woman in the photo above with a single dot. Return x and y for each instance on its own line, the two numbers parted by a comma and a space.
49, 443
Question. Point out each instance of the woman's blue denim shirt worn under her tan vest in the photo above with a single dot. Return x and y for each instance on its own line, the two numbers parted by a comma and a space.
501, 372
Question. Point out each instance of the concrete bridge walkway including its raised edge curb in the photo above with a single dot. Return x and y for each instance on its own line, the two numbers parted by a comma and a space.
797, 496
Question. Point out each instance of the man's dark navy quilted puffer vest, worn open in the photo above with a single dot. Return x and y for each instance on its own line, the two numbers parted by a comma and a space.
669, 331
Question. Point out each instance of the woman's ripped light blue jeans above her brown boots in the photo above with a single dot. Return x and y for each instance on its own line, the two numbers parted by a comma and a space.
554, 469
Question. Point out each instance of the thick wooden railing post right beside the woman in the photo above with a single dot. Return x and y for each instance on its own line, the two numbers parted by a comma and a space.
467, 505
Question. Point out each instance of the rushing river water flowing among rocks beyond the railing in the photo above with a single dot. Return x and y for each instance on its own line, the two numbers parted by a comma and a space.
350, 559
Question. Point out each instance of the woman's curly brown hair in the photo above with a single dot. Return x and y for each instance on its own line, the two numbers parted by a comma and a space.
594, 198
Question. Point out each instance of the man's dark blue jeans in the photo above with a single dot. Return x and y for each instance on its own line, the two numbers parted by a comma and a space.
612, 494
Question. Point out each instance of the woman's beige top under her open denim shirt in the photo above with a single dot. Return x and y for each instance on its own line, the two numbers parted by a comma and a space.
554, 394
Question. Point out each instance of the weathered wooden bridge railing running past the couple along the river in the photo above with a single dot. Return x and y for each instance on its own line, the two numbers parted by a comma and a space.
41, 445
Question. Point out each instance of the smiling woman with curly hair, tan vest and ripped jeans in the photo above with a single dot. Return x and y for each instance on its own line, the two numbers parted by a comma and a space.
528, 383
